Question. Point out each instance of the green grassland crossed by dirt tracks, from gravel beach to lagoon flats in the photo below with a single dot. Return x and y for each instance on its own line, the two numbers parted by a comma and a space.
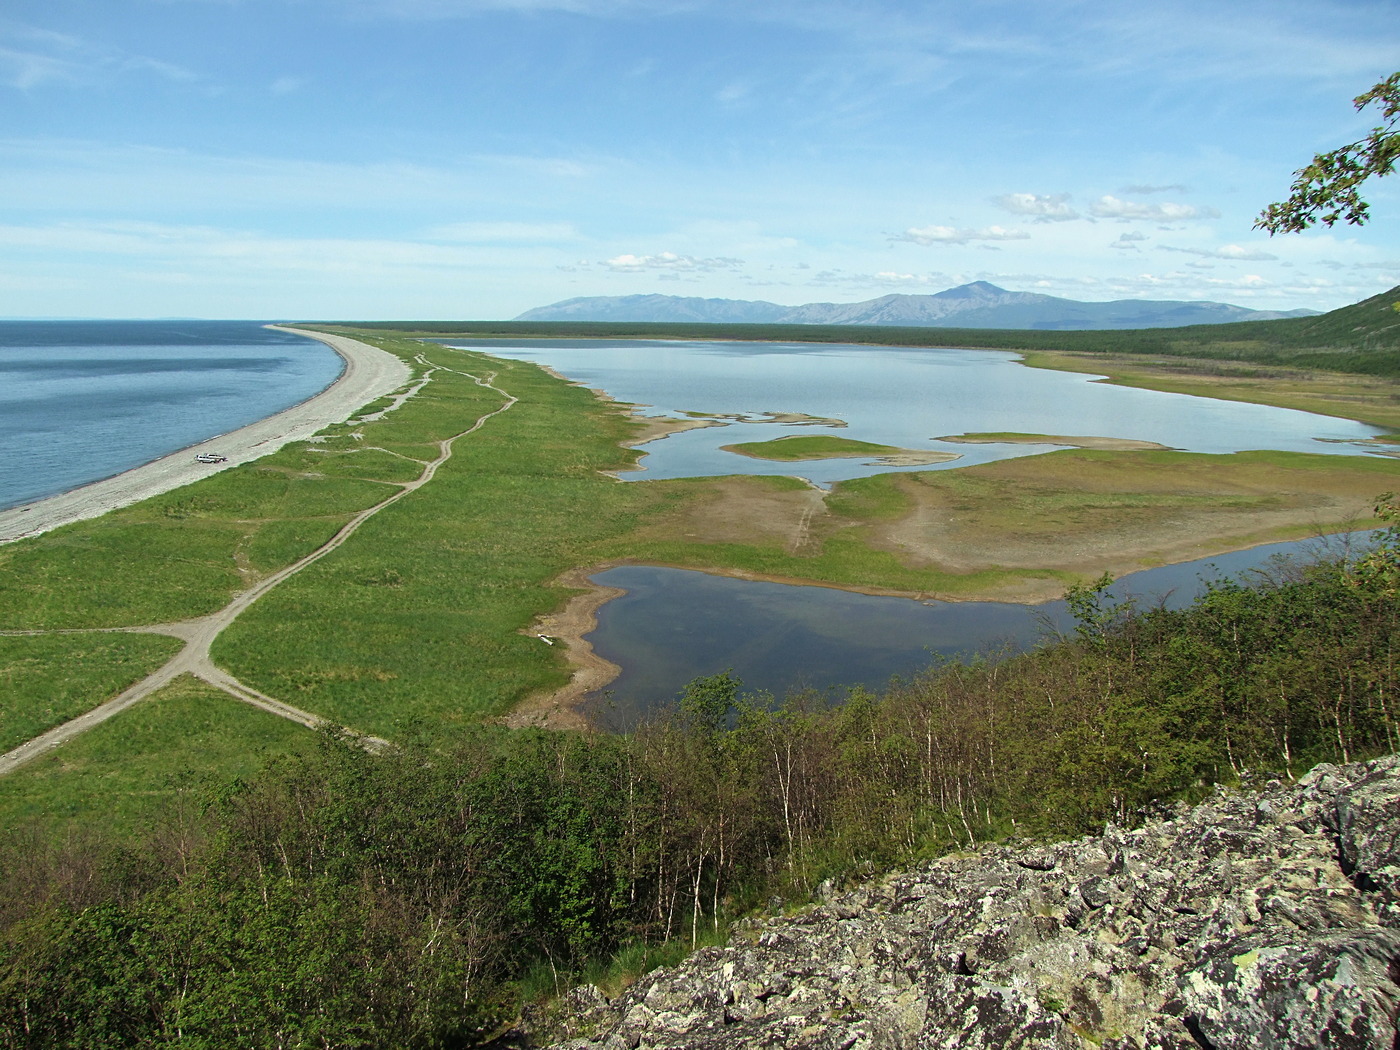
415, 629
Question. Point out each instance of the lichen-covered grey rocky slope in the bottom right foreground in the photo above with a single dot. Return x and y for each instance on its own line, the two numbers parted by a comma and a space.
1255, 920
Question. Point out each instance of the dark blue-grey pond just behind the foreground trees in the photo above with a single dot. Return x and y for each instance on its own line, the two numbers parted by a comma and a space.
675, 625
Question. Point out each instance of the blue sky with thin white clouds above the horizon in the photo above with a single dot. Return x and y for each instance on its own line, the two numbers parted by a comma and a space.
474, 159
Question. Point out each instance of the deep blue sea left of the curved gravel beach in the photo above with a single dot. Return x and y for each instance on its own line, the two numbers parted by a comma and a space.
82, 401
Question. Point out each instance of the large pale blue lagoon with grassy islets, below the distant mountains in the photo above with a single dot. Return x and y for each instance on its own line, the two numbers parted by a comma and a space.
899, 397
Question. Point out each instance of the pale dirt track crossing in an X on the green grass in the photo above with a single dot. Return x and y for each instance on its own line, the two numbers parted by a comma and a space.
201, 632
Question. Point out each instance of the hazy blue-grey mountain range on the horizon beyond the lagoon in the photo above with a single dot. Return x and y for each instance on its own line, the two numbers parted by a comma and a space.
978, 304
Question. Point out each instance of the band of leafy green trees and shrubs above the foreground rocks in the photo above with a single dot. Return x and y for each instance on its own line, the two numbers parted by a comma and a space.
400, 899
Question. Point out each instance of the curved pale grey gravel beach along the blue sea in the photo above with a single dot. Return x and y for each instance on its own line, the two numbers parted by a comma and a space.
369, 374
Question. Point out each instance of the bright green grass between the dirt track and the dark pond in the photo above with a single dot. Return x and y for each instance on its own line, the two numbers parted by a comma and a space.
419, 621
